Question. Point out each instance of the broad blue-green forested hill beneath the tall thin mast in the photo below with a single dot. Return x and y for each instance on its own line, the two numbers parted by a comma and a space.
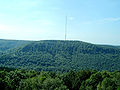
56, 55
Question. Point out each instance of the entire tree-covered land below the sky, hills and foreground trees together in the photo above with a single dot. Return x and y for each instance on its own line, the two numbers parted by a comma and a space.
46, 66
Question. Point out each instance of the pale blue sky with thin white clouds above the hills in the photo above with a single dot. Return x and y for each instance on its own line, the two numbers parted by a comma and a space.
94, 21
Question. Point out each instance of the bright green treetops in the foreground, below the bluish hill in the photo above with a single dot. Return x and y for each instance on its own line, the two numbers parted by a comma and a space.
11, 79
